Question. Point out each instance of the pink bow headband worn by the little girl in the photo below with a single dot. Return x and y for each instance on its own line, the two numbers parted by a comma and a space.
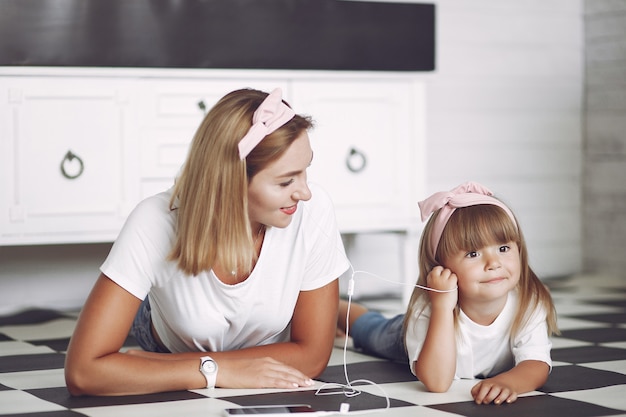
465, 195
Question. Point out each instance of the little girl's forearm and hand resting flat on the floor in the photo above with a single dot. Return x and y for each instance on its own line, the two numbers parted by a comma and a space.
505, 387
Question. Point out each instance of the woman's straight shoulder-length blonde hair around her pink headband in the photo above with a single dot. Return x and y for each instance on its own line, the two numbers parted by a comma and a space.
211, 193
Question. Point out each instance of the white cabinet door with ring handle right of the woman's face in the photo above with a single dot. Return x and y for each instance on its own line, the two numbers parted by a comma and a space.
362, 143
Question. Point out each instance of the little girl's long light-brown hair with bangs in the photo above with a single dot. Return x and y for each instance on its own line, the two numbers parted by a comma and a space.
471, 228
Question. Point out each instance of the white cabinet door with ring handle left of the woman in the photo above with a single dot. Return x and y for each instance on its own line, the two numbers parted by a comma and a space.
65, 144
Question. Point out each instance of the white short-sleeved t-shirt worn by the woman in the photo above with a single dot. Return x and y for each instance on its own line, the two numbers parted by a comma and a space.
201, 313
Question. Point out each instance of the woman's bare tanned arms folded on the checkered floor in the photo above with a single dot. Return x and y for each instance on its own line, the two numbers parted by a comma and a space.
94, 365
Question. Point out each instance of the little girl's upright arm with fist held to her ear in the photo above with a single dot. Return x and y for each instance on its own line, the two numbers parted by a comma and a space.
436, 364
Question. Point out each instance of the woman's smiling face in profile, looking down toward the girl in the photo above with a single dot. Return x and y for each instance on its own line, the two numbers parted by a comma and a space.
274, 192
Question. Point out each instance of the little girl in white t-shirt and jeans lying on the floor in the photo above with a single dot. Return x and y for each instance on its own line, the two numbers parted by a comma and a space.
478, 311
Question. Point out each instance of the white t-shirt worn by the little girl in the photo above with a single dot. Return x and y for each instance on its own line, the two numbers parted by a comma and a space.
485, 351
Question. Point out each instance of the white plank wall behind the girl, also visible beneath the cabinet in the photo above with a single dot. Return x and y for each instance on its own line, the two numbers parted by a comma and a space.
503, 108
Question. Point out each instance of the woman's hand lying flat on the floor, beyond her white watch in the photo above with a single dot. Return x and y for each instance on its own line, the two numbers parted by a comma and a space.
260, 373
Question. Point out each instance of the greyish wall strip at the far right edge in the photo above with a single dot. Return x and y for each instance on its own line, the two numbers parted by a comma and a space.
604, 185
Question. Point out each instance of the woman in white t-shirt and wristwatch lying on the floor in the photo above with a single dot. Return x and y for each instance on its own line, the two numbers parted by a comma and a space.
228, 279
